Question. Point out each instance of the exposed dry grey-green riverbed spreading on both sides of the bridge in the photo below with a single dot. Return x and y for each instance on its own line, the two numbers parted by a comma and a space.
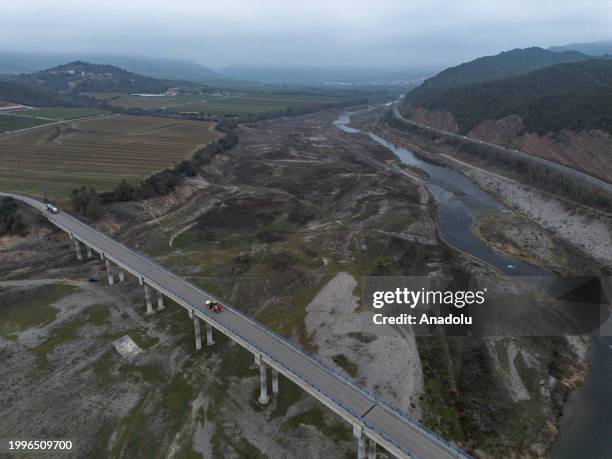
283, 227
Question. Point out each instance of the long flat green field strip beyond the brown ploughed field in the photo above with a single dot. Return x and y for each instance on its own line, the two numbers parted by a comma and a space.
234, 103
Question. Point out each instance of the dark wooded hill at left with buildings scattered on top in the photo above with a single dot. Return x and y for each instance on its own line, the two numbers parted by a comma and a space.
64, 84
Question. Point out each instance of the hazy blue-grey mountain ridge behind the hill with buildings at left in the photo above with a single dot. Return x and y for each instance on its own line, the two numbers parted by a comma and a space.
170, 69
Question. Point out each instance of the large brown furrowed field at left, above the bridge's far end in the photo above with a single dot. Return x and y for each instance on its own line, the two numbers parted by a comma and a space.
97, 152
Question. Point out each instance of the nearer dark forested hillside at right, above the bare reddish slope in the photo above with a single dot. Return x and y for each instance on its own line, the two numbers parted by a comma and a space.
564, 96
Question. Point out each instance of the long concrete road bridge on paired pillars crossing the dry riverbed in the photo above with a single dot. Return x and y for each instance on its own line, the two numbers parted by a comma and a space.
374, 422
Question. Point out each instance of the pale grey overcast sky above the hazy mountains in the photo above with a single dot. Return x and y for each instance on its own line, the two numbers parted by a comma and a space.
397, 34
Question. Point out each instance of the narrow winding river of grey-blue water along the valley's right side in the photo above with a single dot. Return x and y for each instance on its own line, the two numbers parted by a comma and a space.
586, 425
